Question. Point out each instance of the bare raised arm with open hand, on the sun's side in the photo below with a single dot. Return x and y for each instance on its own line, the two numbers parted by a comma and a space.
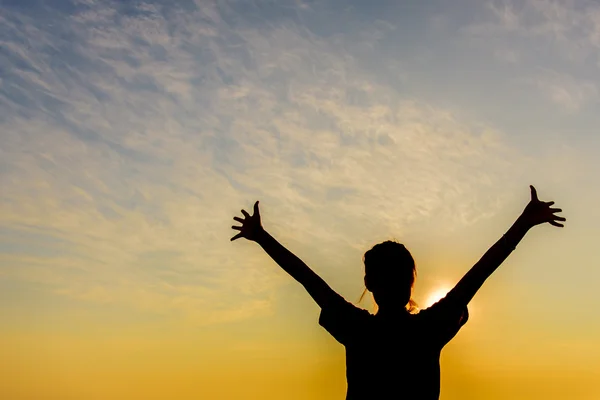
536, 212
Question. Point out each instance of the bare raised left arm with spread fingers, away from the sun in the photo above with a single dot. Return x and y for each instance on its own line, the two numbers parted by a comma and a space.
252, 229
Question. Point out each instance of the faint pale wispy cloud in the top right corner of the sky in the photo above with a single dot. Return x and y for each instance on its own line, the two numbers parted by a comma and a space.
540, 33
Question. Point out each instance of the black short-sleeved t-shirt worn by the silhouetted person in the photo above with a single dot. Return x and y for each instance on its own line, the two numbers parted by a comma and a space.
393, 357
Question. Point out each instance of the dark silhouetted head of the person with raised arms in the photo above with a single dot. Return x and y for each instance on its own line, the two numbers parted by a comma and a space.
390, 274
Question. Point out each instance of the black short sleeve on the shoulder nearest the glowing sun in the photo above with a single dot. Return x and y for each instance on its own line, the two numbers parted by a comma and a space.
444, 319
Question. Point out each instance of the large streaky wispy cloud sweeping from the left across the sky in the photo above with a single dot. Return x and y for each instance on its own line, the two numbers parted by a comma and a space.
133, 134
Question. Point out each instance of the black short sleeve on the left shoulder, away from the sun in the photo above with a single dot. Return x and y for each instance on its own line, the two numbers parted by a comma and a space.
343, 320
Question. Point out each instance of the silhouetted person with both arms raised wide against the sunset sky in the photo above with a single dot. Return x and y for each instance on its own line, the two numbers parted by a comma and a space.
395, 353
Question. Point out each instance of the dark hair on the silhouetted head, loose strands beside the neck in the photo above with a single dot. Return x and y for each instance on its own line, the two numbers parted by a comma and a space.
391, 259
